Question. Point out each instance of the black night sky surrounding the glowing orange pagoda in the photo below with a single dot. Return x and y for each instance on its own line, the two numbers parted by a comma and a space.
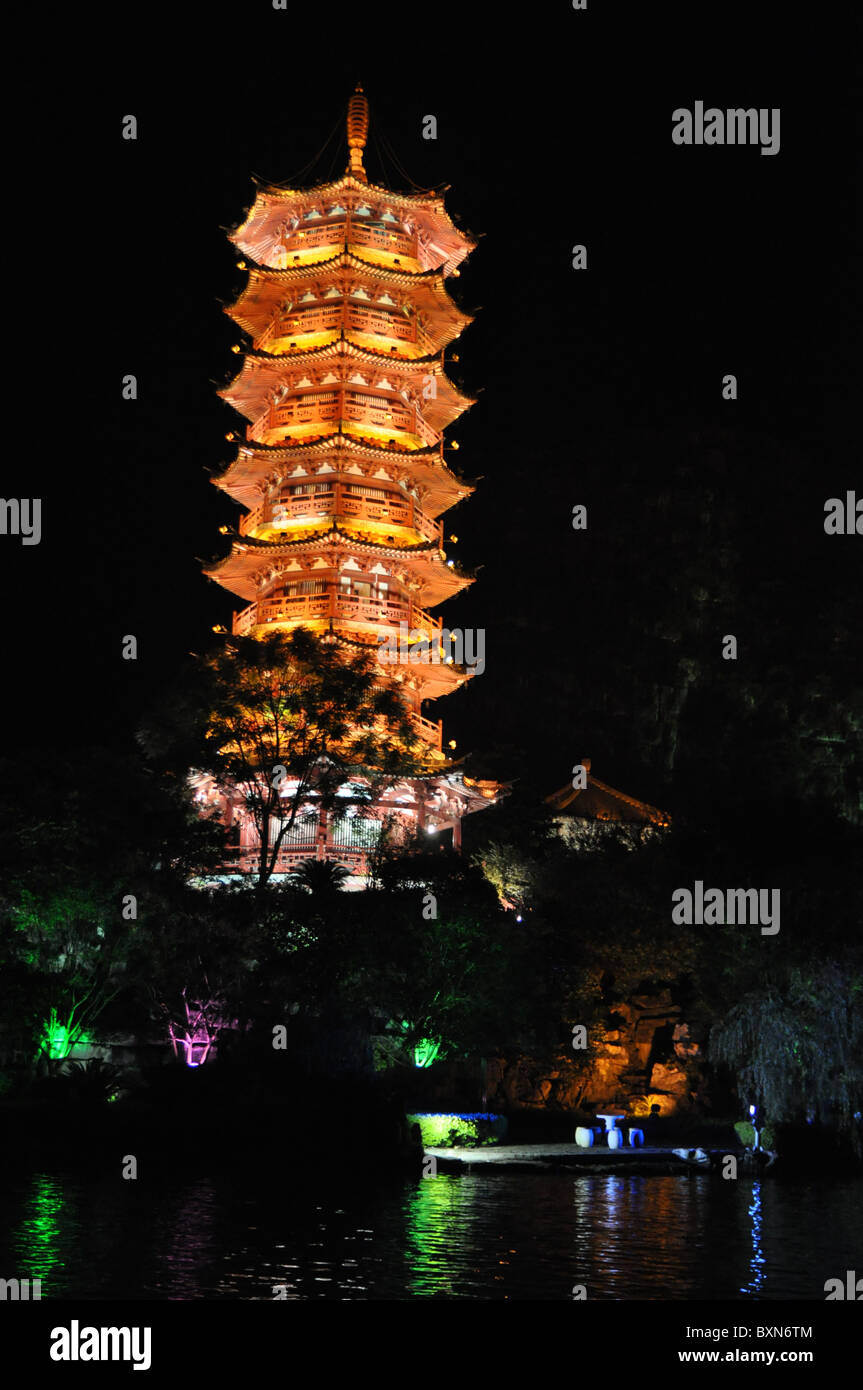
600, 387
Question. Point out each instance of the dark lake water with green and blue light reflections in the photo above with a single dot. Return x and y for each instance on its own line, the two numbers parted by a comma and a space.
486, 1236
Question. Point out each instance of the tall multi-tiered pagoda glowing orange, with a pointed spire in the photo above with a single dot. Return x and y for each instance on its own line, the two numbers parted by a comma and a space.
343, 466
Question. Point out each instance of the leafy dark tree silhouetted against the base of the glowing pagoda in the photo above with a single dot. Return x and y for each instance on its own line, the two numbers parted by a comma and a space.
291, 722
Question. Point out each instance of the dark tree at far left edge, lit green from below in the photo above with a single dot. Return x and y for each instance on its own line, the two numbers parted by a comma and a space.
91, 842
